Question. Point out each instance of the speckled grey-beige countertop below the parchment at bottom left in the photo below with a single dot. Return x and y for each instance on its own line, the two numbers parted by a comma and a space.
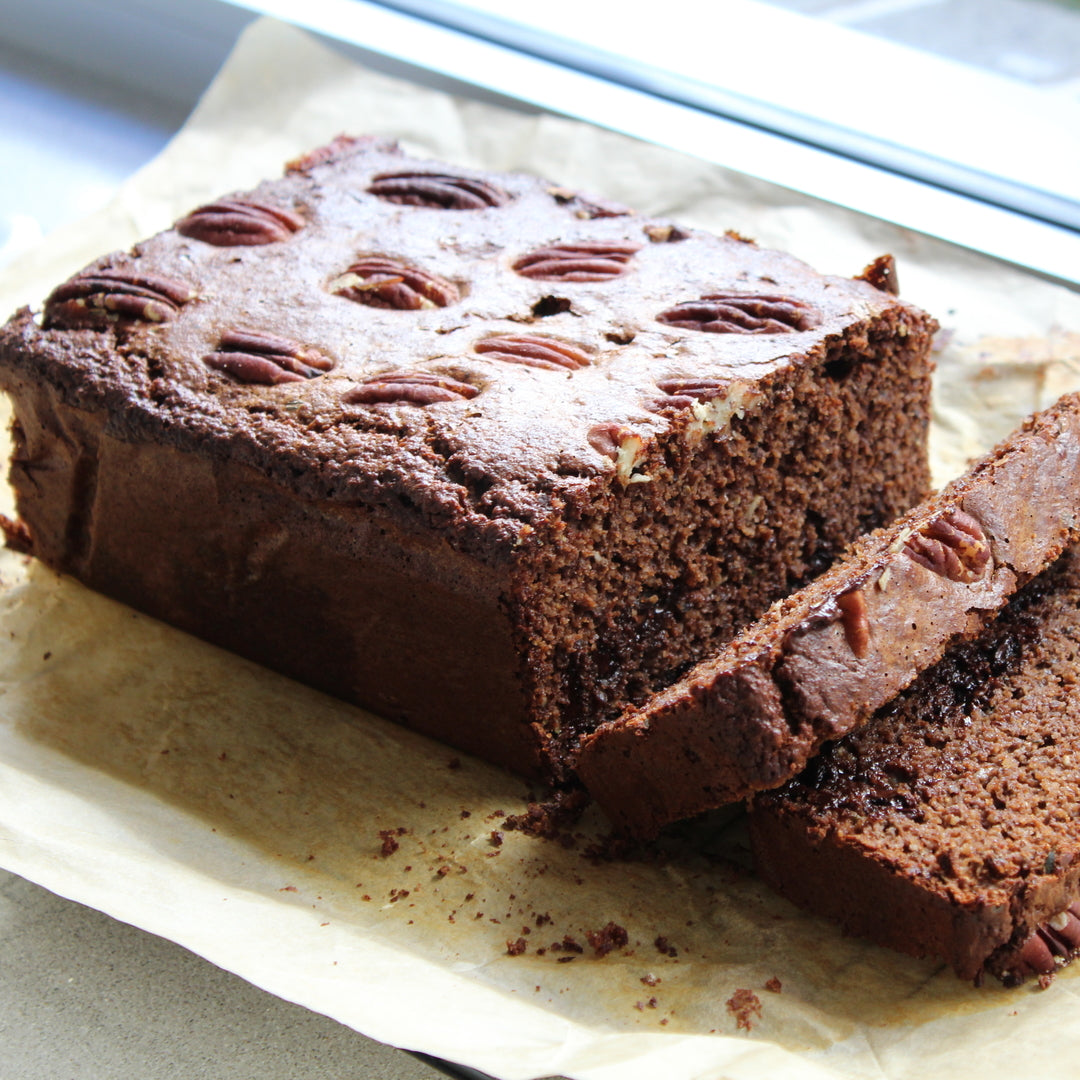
84, 997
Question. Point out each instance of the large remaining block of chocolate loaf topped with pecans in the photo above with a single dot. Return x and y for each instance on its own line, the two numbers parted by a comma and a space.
474, 451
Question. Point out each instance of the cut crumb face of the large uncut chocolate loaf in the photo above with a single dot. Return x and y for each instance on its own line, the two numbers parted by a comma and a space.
831, 447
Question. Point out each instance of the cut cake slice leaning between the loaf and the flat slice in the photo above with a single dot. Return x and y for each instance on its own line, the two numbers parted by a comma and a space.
820, 663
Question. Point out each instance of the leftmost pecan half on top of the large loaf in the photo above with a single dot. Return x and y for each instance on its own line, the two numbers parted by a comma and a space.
98, 299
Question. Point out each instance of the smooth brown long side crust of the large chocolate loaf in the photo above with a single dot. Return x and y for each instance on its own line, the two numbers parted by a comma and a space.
326, 593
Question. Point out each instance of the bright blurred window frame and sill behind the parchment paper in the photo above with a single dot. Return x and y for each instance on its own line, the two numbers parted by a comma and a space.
971, 99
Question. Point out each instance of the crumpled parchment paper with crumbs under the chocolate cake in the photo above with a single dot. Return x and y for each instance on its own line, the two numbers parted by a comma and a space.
357, 869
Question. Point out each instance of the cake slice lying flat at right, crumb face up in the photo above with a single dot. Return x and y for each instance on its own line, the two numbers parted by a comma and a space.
950, 826
